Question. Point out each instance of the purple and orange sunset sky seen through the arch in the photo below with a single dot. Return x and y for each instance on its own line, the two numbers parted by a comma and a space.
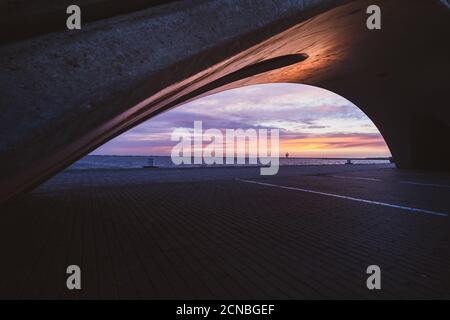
313, 122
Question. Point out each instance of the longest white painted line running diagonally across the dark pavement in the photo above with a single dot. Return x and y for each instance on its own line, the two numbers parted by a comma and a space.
435, 213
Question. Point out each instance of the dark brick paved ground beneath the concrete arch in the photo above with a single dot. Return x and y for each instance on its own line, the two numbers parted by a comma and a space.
200, 233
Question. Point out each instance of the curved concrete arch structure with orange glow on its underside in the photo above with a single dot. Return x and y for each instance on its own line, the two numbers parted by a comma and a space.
65, 93
